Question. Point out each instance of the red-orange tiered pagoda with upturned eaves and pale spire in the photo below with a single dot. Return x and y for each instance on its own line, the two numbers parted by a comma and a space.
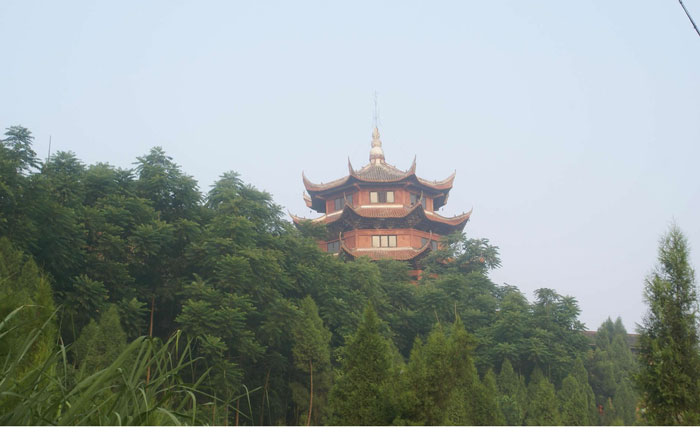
382, 212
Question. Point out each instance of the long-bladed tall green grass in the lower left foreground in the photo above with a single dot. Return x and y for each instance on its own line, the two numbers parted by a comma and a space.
118, 395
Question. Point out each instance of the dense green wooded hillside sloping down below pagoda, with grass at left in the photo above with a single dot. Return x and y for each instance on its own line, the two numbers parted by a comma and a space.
128, 296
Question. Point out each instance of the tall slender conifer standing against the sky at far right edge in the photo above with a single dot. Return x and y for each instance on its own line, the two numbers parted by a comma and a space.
669, 376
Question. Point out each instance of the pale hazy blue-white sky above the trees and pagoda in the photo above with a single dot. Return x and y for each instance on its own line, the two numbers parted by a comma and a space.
574, 127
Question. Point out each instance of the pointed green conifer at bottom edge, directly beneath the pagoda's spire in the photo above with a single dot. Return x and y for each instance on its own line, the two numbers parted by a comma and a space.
360, 395
